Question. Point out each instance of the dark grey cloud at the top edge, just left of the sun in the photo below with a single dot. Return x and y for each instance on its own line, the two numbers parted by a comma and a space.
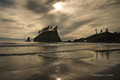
40, 7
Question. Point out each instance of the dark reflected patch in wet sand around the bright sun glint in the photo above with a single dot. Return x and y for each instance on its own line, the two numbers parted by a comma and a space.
51, 71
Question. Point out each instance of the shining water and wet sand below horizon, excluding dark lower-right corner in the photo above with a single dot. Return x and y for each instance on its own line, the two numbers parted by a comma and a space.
21, 60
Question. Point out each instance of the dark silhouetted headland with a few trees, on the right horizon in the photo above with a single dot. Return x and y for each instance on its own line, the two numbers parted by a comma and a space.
105, 37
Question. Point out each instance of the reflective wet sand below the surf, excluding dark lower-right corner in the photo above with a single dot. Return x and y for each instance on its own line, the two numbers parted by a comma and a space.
72, 65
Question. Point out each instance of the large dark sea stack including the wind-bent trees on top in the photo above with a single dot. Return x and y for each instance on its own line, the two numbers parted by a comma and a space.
48, 34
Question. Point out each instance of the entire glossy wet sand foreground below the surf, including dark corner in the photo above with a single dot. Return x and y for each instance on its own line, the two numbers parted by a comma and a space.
100, 66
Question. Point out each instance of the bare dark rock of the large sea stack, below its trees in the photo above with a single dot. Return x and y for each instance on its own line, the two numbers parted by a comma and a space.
48, 36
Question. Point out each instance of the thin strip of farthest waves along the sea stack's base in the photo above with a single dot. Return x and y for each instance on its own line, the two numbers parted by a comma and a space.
32, 44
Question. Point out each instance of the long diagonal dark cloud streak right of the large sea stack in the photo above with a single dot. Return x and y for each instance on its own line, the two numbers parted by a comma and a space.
75, 26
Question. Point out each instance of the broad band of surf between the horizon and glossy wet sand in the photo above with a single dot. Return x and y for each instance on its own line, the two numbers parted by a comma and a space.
63, 48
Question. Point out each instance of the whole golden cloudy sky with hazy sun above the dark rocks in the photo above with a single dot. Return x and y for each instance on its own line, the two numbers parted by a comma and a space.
75, 18
